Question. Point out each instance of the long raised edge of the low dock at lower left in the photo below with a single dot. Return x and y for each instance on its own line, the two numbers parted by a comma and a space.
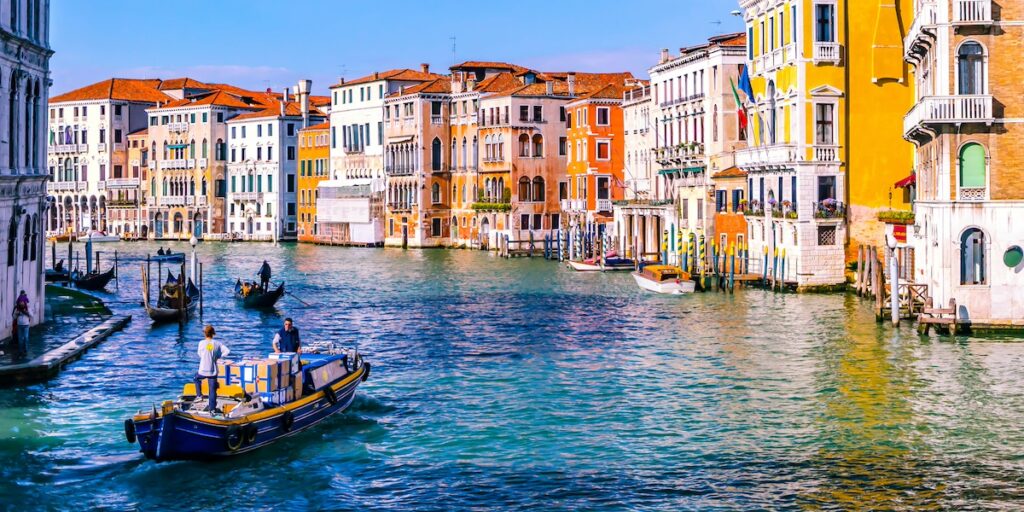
50, 364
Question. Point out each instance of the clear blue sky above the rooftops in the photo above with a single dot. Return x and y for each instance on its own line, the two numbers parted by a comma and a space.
264, 44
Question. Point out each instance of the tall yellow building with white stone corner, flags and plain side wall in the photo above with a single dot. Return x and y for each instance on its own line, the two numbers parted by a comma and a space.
830, 93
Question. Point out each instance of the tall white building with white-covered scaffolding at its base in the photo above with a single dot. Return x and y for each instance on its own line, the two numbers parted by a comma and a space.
351, 207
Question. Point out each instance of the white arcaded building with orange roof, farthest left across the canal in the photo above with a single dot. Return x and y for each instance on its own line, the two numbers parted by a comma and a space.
88, 152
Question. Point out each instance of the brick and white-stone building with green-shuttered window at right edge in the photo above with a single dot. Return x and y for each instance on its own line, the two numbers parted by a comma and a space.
968, 177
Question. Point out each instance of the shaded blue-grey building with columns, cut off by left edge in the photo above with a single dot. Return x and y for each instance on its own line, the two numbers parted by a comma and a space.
25, 83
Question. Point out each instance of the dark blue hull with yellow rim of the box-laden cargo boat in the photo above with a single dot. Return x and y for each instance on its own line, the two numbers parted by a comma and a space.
179, 436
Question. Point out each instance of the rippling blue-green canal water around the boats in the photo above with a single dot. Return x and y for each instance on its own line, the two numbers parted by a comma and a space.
521, 386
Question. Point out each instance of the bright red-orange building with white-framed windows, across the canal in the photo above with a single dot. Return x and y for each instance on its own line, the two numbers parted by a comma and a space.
596, 153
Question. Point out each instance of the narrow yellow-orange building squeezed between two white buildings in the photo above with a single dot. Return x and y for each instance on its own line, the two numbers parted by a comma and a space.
315, 155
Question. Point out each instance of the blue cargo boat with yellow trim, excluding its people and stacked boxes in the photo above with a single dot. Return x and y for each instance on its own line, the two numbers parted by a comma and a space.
184, 431
